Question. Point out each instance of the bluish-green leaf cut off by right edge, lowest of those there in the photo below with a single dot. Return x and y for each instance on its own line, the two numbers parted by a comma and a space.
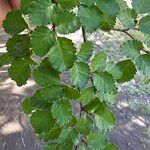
143, 62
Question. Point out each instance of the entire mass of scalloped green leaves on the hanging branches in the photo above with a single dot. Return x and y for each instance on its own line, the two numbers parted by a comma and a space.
74, 114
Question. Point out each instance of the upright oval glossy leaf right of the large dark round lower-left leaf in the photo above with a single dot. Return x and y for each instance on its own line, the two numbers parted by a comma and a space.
62, 111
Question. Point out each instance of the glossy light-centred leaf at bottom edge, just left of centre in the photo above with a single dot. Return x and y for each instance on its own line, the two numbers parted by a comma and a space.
68, 138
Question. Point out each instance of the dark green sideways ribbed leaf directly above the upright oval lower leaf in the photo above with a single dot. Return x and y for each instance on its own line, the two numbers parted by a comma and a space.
52, 93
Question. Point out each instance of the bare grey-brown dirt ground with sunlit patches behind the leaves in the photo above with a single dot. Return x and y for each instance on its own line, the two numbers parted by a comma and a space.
130, 133
